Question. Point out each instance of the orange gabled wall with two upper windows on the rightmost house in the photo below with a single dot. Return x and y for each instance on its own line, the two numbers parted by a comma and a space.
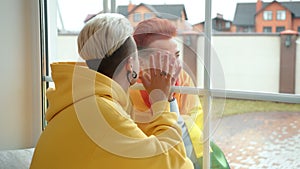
260, 22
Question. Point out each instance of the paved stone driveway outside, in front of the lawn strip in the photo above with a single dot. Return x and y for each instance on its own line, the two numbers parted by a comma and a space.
261, 140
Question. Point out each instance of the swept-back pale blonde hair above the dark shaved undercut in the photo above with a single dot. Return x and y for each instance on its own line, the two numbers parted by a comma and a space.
103, 35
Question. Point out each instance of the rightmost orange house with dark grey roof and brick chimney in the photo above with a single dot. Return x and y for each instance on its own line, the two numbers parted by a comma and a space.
268, 17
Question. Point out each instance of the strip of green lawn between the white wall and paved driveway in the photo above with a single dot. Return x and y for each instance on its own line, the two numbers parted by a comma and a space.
233, 106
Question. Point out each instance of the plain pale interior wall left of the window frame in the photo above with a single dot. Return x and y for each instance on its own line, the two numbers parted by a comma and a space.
20, 74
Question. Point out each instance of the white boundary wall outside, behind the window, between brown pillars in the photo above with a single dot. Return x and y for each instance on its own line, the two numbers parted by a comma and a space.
239, 62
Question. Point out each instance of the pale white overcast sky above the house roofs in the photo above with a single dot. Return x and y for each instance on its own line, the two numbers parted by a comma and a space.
73, 12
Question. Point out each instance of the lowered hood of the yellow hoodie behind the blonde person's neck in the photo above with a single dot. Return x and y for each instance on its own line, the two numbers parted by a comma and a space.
74, 82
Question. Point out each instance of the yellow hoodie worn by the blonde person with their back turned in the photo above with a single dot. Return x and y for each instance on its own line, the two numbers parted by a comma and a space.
88, 127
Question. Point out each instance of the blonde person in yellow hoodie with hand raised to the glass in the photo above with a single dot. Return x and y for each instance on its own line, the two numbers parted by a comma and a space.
89, 124
